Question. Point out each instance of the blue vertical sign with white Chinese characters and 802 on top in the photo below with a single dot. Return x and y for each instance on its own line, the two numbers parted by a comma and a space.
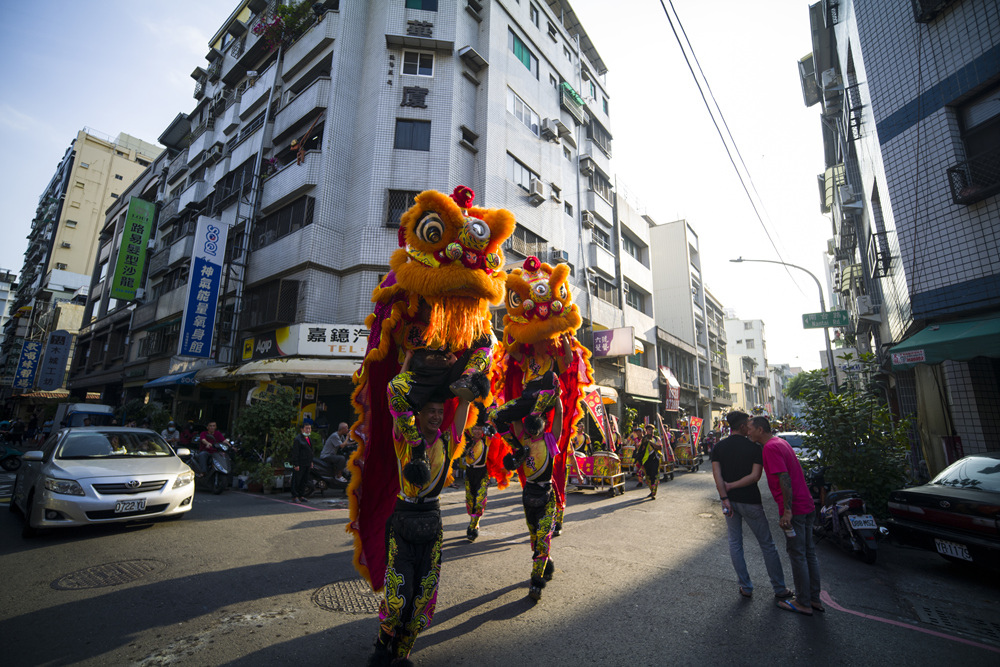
204, 283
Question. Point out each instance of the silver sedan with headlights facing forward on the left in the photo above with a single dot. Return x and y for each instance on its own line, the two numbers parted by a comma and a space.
96, 474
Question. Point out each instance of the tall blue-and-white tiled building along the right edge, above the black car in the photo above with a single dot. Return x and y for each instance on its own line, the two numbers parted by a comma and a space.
911, 125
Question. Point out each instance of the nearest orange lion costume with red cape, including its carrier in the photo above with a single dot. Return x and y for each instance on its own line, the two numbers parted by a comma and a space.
428, 349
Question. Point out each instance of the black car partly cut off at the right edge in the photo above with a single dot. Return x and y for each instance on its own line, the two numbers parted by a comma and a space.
956, 514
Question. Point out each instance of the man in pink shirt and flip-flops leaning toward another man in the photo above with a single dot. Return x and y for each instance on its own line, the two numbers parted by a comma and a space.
788, 486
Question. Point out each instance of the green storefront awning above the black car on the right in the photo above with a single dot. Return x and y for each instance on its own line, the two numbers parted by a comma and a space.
960, 340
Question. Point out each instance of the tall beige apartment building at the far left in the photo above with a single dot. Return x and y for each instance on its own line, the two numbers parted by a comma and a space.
63, 240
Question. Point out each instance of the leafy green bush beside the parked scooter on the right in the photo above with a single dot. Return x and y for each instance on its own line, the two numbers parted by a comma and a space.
863, 447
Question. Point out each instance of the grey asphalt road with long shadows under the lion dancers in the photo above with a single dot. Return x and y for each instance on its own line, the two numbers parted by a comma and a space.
253, 579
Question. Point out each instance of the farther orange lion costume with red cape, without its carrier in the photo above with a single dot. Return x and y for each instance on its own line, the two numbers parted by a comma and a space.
539, 363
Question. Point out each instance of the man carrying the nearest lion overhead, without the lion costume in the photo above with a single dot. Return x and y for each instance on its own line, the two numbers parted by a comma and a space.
414, 531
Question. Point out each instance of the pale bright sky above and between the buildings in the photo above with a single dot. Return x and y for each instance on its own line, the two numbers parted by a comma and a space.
124, 66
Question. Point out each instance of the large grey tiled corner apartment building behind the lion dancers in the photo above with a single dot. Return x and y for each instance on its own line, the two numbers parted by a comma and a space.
305, 146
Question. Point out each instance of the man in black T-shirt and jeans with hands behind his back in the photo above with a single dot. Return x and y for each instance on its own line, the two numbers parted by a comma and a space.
738, 462
